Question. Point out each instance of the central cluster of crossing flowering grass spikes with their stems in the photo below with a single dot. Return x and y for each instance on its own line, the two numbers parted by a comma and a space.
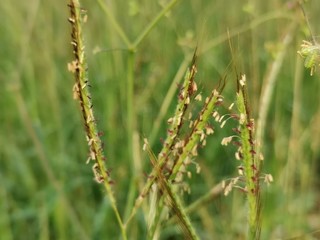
178, 151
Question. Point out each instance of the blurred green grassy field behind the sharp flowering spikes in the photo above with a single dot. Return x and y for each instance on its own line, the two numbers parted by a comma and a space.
49, 192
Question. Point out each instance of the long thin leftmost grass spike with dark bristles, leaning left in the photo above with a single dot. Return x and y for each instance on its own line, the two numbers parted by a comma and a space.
81, 92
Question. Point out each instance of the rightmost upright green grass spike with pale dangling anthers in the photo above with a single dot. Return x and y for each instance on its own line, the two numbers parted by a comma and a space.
249, 170
